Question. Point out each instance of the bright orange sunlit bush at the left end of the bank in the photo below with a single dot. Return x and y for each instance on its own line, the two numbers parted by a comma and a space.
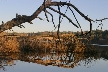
9, 44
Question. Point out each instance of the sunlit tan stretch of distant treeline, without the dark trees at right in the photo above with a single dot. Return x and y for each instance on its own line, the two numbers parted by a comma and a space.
45, 33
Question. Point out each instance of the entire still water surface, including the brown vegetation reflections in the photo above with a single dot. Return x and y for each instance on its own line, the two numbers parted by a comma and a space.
55, 62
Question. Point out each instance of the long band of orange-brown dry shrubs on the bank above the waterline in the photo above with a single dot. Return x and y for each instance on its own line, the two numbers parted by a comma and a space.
20, 44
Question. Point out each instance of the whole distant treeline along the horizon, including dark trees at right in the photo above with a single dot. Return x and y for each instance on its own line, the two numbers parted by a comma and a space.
98, 34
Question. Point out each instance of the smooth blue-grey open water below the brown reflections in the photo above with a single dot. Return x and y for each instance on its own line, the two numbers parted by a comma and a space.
21, 66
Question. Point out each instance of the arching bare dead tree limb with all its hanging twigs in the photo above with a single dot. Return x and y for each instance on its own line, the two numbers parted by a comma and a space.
24, 18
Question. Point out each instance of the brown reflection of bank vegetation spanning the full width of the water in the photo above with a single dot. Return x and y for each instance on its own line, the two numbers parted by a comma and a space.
65, 60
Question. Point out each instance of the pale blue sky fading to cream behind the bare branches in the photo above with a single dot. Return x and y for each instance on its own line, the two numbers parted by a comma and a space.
95, 9
